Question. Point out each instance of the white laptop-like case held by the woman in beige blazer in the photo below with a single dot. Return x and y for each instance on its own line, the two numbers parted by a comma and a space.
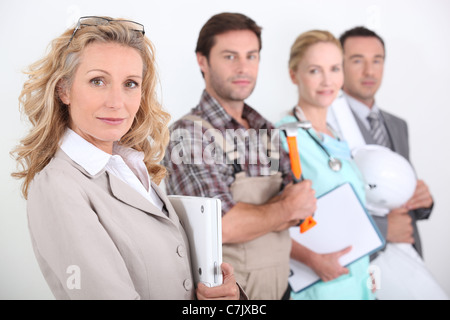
201, 219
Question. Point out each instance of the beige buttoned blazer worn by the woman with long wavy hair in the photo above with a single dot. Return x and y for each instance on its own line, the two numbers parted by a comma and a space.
95, 237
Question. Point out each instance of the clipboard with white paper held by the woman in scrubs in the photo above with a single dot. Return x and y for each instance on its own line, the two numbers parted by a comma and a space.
342, 220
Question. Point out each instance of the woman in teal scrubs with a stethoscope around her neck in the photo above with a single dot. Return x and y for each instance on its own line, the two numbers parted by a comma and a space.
315, 66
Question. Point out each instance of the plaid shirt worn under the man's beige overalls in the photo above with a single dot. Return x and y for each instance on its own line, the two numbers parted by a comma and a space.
195, 168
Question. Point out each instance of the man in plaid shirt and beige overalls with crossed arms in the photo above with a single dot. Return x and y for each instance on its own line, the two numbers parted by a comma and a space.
198, 165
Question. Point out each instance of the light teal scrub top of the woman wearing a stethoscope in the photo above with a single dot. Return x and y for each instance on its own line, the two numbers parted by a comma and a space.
314, 163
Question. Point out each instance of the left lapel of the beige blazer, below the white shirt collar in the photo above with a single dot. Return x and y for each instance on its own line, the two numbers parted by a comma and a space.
127, 194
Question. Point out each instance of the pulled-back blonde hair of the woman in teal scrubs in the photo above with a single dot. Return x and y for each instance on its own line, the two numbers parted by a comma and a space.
306, 40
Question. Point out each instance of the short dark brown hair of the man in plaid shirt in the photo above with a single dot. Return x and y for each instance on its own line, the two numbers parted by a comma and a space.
221, 23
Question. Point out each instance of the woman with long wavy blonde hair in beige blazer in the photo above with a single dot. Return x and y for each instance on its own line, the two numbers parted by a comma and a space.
100, 226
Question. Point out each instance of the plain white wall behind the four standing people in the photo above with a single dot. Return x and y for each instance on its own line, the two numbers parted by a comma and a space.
415, 87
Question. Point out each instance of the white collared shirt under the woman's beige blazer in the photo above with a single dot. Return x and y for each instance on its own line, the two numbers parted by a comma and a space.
125, 163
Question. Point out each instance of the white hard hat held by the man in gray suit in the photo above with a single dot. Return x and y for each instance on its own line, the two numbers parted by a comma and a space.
389, 178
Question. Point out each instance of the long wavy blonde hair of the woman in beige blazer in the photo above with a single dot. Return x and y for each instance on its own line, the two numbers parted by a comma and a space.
49, 117
